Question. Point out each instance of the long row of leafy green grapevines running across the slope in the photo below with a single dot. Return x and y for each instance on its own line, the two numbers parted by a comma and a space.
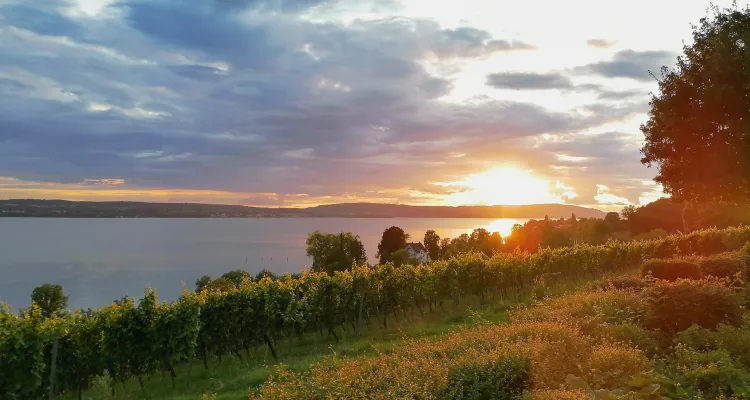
129, 340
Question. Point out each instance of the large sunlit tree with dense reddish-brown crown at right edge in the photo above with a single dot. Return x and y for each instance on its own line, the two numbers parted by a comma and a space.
698, 131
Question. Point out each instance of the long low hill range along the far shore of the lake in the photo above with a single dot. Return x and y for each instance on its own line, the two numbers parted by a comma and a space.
127, 209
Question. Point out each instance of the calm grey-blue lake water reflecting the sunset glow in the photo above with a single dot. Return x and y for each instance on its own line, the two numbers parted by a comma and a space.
100, 260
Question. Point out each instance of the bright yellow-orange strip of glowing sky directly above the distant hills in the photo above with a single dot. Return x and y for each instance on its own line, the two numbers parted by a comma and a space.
502, 185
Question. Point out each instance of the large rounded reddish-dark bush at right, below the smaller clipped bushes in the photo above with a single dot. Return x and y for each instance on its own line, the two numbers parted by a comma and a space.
675, 306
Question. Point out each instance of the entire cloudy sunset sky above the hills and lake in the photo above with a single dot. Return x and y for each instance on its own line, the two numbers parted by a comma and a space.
303, 102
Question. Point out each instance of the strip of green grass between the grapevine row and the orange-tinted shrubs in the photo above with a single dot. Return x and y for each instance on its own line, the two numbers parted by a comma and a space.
233, 377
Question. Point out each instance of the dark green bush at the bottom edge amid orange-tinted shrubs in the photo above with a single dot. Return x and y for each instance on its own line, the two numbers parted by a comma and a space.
504, 377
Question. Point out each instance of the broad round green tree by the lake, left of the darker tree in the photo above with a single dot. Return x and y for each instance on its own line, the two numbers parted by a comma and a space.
335, 251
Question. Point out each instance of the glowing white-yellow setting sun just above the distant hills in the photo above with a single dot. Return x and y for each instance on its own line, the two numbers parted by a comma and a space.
503, 186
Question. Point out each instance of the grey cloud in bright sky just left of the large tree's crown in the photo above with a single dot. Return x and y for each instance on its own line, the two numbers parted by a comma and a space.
631, 64
